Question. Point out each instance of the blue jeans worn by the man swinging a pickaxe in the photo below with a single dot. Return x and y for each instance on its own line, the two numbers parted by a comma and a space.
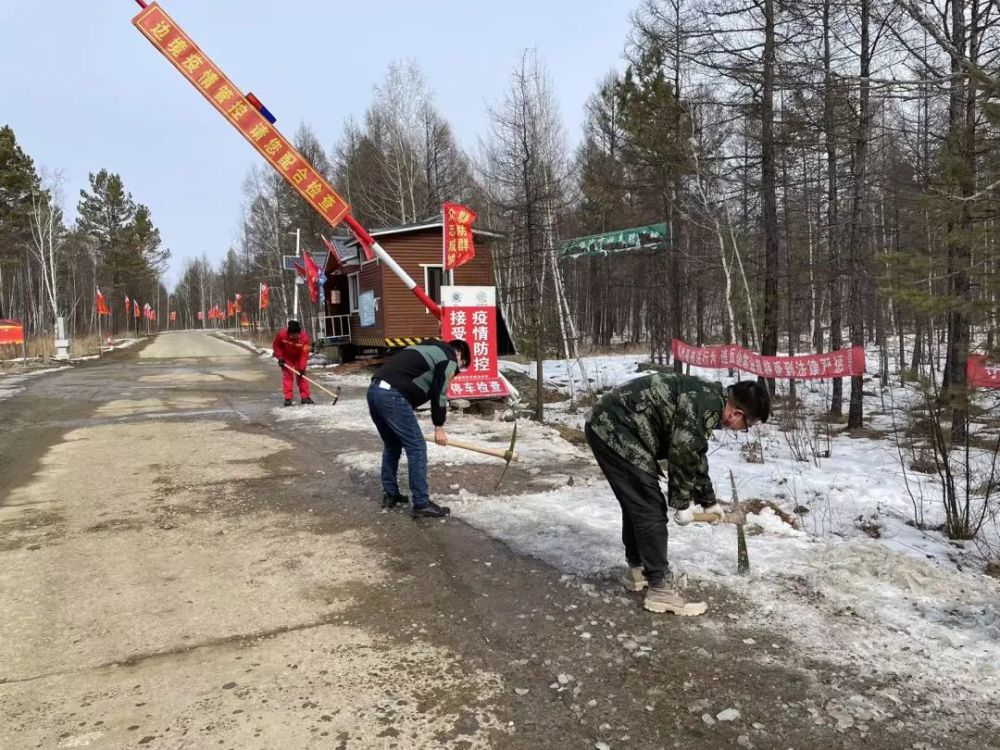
397, 424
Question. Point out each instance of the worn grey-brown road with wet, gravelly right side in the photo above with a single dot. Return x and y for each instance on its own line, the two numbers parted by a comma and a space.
181, 569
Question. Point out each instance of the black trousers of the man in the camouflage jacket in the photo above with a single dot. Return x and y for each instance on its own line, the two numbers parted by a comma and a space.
644, 510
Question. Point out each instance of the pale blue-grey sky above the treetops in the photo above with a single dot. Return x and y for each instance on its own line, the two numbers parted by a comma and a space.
83, 90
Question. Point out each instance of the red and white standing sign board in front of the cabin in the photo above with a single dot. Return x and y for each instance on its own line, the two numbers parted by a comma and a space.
470, 314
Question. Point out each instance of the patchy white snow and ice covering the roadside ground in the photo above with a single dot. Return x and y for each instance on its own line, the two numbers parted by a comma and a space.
909, 604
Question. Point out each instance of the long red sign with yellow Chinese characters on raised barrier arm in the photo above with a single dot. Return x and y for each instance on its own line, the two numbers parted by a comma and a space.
161, 30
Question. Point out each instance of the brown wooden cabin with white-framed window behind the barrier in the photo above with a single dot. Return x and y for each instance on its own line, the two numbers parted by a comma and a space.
366, 308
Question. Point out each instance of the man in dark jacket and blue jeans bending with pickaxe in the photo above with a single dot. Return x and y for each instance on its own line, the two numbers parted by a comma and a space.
409, 379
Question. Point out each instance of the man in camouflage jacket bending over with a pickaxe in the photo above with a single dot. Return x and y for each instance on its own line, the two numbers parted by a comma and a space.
664, 417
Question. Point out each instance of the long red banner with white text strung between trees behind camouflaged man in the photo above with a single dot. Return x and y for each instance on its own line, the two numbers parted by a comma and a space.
843, 363
